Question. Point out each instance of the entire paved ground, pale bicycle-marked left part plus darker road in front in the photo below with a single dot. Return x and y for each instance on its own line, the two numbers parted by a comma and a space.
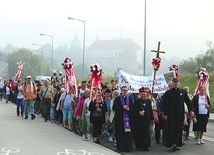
35, 137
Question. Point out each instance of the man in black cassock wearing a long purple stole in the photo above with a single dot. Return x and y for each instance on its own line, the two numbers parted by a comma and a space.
122, 108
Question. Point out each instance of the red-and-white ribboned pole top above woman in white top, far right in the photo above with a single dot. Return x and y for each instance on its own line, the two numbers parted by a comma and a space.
203, 80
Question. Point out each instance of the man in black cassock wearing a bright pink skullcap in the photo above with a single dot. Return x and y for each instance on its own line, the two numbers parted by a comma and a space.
143, 116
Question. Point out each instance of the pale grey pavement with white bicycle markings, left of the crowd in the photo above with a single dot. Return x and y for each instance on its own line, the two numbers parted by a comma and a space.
36, 137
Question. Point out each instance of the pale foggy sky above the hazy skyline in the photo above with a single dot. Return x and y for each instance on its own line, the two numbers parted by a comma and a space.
183, 27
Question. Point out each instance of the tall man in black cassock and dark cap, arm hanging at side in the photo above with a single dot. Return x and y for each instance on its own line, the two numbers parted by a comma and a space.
173, 103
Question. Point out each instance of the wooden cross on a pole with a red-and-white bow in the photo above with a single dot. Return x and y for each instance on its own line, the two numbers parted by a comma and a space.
156, 64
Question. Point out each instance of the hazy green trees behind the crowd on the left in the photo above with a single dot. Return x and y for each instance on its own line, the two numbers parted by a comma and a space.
35, 64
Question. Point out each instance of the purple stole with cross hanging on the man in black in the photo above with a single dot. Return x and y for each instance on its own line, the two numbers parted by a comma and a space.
126, 124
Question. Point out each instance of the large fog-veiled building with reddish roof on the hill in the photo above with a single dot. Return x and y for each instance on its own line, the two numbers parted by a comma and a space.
113, 54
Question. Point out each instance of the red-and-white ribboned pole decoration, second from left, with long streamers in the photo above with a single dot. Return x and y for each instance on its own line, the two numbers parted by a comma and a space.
70, 79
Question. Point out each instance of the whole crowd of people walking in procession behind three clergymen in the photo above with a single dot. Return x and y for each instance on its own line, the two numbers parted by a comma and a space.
128, 119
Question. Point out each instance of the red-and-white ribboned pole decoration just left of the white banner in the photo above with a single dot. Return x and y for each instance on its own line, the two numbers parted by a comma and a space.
96, 78
